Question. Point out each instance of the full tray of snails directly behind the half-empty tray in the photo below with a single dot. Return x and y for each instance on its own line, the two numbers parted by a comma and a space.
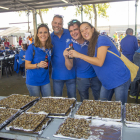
104, 110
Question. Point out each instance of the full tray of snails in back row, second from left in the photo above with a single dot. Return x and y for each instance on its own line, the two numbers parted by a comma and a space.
56, 107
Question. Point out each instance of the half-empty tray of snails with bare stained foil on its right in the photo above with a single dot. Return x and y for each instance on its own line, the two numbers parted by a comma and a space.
86, 129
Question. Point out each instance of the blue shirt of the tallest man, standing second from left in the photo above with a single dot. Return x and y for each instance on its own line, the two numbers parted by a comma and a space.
59, 70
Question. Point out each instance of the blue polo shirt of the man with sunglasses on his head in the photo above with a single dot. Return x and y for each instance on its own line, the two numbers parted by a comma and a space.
83, 68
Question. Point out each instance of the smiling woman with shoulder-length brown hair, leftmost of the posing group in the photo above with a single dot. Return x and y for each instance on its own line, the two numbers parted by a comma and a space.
37, 79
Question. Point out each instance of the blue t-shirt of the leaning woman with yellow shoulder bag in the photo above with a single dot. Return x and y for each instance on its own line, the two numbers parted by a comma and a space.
113, 72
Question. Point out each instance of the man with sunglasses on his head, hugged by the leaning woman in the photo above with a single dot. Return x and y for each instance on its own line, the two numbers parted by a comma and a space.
86, 76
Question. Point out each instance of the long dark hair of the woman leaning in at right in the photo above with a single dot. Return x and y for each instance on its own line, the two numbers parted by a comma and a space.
93, 41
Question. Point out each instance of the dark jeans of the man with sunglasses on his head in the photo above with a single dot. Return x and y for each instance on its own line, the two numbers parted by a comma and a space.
83, 85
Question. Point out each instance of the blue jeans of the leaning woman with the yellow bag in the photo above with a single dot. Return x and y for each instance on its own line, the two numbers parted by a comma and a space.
121, 92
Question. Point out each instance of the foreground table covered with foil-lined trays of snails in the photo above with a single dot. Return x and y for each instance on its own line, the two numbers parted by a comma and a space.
72, 121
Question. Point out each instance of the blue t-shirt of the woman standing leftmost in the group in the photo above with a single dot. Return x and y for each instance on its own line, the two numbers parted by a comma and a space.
38, 76
